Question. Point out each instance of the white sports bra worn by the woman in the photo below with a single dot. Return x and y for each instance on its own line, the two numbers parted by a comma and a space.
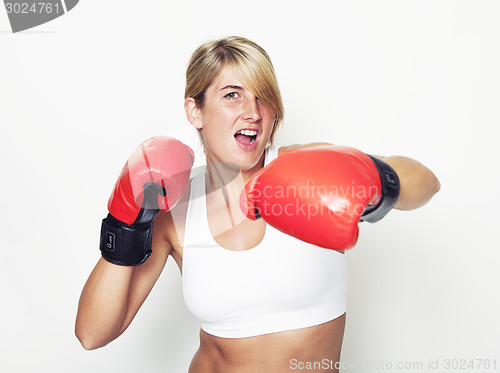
281, 284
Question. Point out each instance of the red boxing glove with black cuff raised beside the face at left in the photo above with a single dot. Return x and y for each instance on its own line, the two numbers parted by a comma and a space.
154, 178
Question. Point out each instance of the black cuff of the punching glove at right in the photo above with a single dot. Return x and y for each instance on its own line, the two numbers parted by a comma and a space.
390, 192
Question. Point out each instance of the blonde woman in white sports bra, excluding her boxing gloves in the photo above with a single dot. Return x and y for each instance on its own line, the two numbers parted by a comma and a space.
267, 301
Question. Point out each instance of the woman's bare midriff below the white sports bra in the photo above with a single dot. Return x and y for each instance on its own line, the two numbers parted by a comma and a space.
317, 347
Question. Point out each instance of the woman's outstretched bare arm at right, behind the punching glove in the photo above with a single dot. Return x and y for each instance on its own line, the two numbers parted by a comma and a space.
418, 183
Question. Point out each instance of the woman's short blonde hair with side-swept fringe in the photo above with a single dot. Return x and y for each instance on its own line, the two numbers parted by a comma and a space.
251, 63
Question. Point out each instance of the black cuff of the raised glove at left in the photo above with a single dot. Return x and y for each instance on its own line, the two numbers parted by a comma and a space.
123, 244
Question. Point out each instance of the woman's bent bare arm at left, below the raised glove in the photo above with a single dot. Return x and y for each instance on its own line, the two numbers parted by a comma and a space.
113, 294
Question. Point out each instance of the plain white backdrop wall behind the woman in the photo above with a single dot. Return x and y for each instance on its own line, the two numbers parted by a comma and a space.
414, 78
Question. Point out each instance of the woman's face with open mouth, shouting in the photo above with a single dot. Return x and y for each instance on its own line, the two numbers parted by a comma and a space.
235, 125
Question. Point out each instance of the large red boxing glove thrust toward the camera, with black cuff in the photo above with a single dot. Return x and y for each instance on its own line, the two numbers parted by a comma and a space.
319, 194
